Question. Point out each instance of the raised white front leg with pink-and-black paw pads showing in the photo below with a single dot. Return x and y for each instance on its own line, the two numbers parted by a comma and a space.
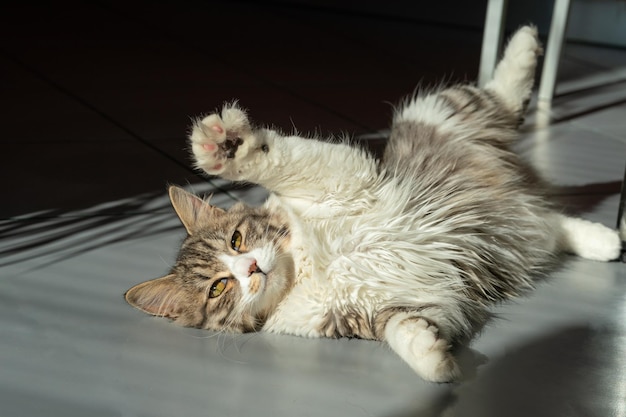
227, 145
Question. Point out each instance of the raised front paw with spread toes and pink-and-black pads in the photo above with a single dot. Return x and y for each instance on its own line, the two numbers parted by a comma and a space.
216, 141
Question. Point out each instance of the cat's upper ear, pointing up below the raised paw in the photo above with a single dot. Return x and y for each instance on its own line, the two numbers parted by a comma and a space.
194, 212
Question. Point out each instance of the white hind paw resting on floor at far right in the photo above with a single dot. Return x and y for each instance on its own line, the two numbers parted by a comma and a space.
588, 239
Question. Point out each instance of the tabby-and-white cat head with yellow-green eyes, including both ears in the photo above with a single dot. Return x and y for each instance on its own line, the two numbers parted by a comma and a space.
232, 270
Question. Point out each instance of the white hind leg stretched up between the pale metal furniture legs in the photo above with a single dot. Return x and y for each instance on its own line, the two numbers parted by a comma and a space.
514, 75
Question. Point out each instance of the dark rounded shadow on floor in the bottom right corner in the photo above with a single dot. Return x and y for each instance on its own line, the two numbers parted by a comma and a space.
571, 372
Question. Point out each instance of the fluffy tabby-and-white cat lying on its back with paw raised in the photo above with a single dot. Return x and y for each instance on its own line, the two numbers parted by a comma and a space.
411, 249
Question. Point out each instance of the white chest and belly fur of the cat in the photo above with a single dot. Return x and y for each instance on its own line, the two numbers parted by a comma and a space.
359, 269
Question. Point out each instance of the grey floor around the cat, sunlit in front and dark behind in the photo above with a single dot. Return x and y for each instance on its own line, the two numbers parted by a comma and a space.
96, 101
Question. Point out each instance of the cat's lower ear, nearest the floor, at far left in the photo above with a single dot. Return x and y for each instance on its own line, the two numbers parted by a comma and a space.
159, 297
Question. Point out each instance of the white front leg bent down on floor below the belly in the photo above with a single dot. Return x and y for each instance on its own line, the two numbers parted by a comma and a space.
419, 343
